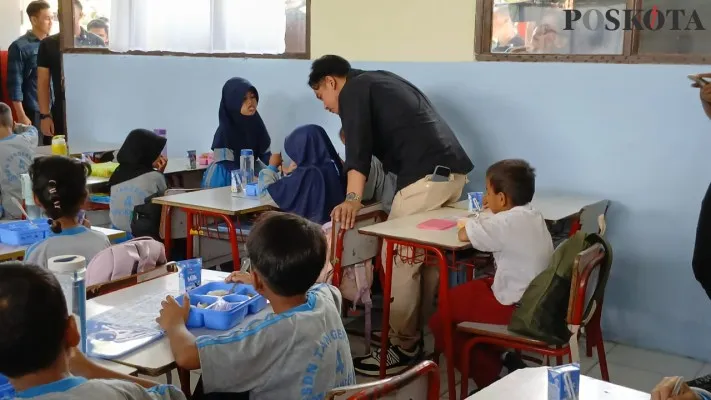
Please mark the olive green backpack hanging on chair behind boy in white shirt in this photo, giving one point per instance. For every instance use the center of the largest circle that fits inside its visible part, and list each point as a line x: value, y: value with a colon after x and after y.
x: 543, y: 308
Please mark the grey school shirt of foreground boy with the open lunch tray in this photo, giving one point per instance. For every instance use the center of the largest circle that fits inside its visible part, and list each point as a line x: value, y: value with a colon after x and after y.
x: 301, y: 353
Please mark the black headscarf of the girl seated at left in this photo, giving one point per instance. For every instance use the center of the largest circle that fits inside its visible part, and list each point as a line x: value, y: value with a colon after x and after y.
x: 137, y: 154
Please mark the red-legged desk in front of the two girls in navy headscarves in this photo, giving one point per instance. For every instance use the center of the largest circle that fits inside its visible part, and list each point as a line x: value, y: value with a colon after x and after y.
x: 216, y: 203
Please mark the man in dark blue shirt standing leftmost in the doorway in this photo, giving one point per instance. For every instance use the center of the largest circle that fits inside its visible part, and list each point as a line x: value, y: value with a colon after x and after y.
x: 22, y: 64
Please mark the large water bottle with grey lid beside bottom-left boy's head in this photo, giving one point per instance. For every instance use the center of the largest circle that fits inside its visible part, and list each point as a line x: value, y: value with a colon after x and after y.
x: 70, y: 271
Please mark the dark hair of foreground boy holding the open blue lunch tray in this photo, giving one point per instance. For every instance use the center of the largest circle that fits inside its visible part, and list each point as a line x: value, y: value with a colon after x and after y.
x: 288, y: 251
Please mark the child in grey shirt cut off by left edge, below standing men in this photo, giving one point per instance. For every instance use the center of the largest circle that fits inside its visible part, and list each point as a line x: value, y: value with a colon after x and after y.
x: 17, y: 150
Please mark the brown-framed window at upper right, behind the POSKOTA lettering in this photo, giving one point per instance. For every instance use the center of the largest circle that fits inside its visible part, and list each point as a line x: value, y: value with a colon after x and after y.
x: 594, y: 30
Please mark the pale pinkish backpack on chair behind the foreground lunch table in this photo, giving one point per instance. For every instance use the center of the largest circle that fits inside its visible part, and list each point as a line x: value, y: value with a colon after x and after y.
x: 125, y: 259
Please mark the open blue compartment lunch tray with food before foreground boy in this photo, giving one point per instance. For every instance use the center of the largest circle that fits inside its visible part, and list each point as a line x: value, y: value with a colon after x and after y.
x: 244, y: 300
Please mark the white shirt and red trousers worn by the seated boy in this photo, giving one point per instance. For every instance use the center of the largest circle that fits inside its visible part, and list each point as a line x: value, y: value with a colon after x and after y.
x: 522, y: 248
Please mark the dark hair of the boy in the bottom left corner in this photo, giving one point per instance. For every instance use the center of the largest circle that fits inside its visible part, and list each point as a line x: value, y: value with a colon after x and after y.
x: 33, y: 319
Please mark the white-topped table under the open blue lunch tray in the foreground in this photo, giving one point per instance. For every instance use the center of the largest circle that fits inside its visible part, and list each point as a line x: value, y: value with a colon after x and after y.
x: 156, y: 358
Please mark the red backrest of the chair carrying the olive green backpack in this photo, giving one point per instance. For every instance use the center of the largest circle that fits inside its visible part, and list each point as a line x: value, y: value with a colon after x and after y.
x: 587, y: 270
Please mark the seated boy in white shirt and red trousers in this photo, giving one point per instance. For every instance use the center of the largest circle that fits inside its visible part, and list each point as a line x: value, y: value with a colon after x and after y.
x: 522, y: 247
